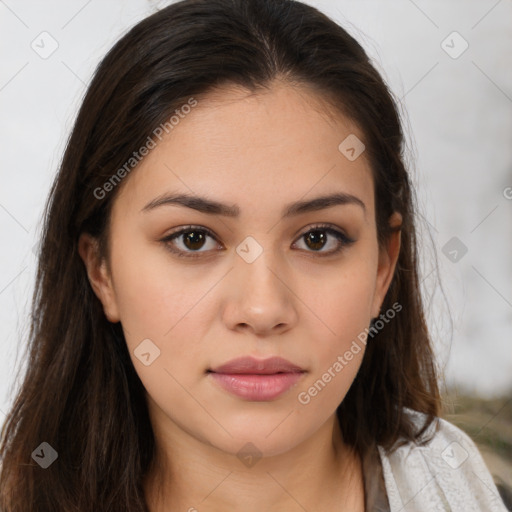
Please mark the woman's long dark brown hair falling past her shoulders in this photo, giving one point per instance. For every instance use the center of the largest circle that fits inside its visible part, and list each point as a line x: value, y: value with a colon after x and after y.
x: 80, y: 392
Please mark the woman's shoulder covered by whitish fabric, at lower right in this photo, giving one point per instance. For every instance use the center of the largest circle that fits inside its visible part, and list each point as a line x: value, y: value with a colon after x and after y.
x: 445, y: 473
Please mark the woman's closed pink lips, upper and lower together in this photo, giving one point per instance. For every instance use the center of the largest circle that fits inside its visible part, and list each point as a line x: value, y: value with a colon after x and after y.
x: 257, y: 379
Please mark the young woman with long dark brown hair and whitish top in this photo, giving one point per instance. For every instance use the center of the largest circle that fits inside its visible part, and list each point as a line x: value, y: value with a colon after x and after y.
x: 227, y: 312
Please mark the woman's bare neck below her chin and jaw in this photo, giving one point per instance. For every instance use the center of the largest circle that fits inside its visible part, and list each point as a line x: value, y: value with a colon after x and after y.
x: 321, y: 473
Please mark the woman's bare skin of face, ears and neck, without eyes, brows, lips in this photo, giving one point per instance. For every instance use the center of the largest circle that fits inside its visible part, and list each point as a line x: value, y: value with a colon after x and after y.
x: 260, y: 152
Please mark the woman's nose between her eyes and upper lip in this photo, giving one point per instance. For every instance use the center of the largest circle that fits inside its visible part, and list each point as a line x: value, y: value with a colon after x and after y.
x: 260, y: 297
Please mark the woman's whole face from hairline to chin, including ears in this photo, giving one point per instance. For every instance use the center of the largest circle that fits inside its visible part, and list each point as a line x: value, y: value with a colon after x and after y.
x: 269, y: 269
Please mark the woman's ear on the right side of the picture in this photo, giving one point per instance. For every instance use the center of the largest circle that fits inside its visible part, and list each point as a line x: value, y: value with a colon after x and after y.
x: 388, y: 256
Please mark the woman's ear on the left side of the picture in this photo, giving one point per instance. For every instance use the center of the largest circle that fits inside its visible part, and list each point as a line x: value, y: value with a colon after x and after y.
x: 99, y: 277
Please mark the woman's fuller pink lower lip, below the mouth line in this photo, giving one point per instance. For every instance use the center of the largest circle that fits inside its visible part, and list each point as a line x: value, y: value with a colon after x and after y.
x: 257, y: 387
